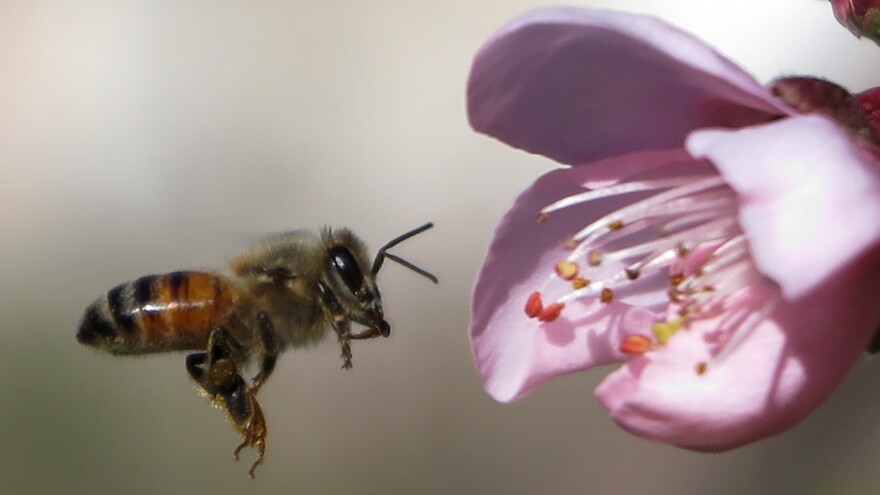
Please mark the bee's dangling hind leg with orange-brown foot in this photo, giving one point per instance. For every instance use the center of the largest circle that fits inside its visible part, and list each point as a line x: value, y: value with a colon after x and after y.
x: 216, y: 372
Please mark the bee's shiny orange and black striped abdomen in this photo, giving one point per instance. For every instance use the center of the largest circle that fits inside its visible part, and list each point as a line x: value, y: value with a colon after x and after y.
x: 173, y: 311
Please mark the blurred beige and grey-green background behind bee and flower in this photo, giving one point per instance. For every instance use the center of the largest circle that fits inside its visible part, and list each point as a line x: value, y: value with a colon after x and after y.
x: 141, y: 137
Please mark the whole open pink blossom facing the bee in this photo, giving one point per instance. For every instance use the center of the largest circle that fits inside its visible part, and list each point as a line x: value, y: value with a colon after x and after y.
x: 722, y: 245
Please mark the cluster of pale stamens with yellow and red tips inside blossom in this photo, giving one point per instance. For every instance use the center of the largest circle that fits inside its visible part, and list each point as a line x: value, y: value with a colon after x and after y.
x: 681, y: 239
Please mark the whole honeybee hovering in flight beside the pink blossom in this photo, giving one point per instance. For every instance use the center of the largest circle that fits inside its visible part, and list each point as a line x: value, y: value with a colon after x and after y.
x: 286, y: 292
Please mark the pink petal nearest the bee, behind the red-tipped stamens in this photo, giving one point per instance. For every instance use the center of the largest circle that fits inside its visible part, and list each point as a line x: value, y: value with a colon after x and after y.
x: 514, y: 353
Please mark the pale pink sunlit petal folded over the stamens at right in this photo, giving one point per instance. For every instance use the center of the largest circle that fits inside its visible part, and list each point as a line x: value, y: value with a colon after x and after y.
x: 810, y: 197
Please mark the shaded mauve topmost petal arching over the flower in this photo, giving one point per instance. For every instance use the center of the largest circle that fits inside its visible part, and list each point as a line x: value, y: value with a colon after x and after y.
x: 579, y: 85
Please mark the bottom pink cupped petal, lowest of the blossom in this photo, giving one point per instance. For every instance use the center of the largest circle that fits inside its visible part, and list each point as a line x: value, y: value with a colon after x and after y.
x: 785, y: 368
